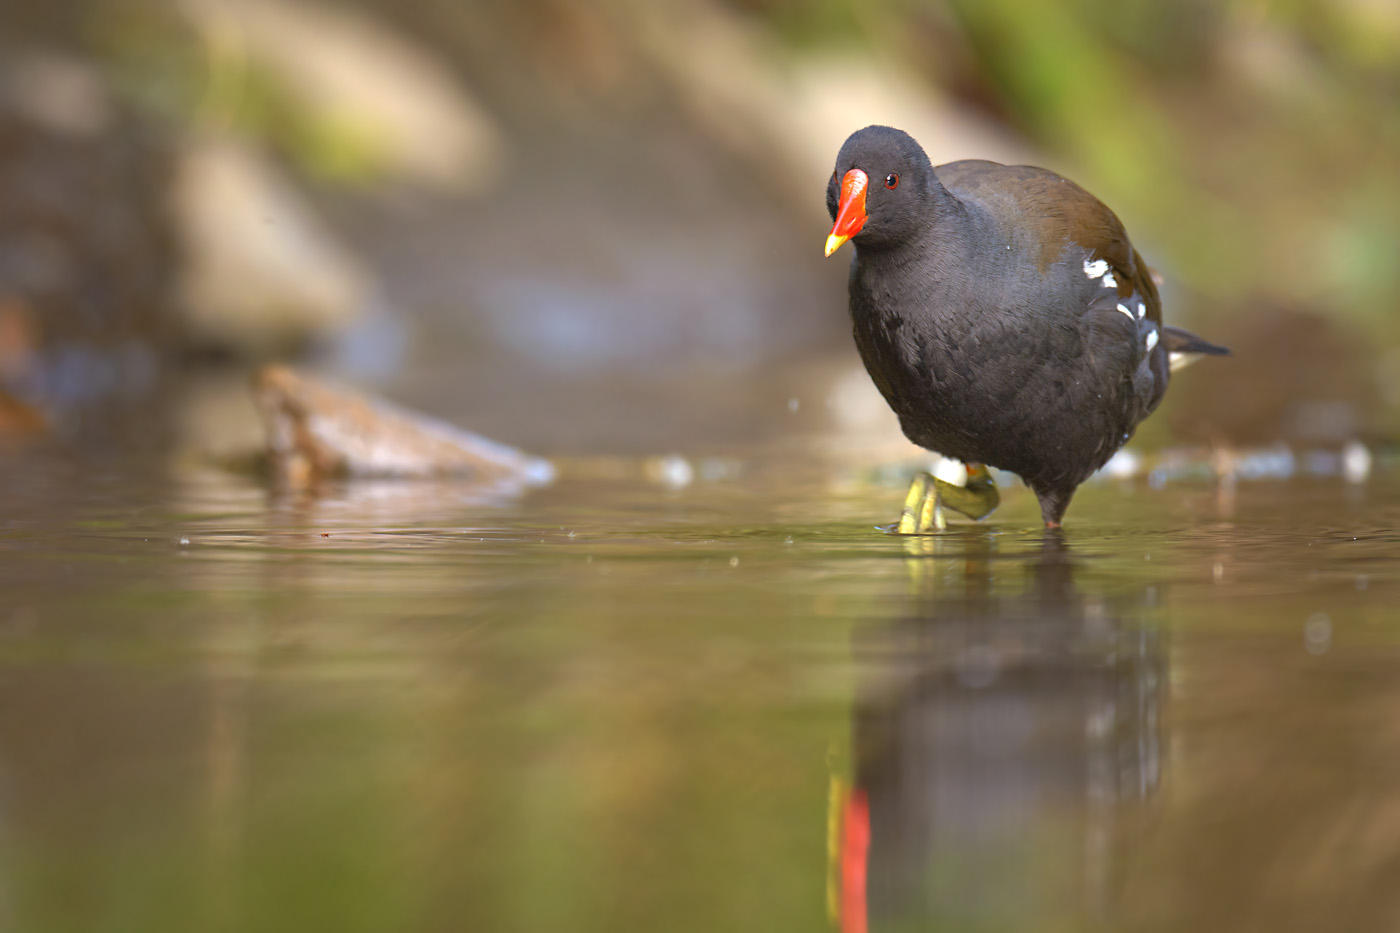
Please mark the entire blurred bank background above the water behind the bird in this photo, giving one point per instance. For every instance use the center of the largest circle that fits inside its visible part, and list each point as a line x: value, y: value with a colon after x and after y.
x: 596, y: 226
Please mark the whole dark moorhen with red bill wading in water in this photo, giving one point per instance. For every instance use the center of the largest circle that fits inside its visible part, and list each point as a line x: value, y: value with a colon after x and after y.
x: 1004, y: 316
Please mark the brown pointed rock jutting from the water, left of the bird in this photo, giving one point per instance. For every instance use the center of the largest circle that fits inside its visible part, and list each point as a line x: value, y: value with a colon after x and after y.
x: 320, y: 432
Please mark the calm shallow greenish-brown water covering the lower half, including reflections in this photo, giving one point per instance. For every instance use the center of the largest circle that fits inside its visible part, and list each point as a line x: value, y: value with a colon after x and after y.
x: 614, y: 707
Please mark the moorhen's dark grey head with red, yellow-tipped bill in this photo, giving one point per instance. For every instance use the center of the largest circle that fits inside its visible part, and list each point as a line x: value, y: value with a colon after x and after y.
x: 880, y: 191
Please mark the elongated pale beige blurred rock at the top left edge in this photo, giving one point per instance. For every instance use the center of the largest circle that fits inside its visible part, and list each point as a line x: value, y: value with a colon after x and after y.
x: 362, y: 85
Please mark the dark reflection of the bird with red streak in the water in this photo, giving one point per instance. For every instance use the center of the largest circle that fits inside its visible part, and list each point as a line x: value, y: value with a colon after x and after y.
x: 1002, y: 726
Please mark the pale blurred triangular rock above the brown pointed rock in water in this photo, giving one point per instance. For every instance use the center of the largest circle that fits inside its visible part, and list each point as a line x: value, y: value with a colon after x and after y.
x: 262, y: 272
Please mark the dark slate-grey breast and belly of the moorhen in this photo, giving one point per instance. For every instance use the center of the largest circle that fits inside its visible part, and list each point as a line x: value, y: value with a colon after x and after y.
x: 982, y: 365
